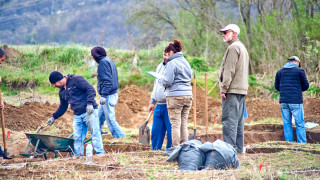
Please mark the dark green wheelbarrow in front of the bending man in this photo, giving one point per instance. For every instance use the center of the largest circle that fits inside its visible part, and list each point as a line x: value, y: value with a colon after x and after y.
x: 44, y: 144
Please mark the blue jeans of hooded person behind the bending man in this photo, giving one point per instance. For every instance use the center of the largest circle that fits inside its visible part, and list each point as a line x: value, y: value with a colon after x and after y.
x: 109, y: 107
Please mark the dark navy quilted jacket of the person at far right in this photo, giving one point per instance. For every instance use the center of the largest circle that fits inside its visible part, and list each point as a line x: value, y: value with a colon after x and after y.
x: 291, y: 81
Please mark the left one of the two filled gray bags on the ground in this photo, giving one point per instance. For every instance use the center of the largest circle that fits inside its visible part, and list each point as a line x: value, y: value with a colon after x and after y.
x: 188, y: 155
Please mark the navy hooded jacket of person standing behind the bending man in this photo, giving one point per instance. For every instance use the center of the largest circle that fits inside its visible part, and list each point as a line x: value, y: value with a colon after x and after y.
x: 107, y: 77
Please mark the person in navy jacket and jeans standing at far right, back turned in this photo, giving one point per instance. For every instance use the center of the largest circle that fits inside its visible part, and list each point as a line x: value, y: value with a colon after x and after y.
x: 291, y: 81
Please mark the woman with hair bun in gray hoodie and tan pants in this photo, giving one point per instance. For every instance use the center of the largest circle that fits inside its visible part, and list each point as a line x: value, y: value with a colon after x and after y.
x: 176, y: 80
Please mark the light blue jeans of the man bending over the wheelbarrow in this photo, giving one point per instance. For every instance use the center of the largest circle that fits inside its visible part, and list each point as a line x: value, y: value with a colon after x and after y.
x: 80, y: 128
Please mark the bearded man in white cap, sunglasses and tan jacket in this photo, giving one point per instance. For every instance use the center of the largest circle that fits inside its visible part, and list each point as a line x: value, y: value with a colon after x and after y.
x: 234, y: 84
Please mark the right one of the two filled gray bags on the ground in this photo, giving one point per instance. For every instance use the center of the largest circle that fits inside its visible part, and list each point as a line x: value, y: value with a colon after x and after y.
x: 220, y: 155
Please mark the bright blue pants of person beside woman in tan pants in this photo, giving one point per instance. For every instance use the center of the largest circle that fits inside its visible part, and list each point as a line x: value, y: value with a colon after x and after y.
x: 161, y: 125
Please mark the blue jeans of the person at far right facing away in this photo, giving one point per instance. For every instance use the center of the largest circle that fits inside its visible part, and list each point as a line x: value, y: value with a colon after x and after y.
x: 295, y: 110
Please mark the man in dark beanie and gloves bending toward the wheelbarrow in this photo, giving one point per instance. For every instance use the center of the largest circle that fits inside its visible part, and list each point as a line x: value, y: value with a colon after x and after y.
x: 80, y: 94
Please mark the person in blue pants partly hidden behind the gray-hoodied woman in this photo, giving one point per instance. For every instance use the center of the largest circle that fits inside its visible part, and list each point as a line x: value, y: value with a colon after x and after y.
x: 161, y: 123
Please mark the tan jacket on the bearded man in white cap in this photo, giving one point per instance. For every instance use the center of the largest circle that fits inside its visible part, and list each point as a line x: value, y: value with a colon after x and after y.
x: 234, y: 69
